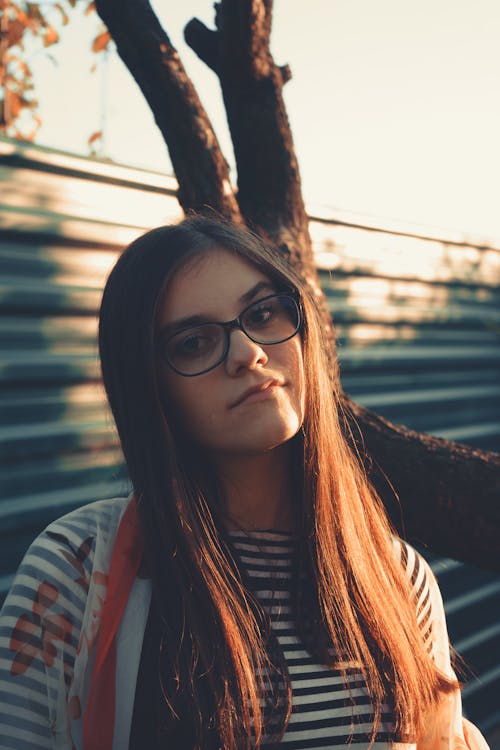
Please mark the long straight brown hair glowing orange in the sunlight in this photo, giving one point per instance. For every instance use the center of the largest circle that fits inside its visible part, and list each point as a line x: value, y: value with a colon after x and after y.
x: 352, y: 603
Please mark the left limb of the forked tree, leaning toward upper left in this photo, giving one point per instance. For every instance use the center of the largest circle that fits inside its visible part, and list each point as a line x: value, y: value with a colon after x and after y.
x: 146, y: 50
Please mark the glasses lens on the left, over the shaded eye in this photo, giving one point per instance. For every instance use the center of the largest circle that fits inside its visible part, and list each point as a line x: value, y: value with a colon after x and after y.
x: 195, y: 349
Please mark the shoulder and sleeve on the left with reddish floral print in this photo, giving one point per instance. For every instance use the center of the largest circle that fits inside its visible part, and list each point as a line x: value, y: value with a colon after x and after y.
x: 51, y: 606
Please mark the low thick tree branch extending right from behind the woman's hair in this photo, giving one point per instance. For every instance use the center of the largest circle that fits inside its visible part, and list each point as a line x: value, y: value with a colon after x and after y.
x: 449, y: 493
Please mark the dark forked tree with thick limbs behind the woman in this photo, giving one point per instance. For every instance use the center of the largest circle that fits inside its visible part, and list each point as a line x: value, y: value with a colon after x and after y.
x: 449, y: 493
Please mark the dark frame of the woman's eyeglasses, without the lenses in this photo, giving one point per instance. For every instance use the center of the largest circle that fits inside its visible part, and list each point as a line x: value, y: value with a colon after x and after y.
x: 228, y: 327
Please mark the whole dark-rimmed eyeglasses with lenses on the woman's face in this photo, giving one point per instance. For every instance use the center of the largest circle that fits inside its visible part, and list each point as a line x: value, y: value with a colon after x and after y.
x: 198, y: 349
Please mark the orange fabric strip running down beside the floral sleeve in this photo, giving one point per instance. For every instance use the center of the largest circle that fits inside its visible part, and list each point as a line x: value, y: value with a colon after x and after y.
x: 127, y: 555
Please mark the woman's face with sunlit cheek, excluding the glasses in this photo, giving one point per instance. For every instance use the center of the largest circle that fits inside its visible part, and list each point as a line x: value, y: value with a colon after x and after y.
x: 212, y: 408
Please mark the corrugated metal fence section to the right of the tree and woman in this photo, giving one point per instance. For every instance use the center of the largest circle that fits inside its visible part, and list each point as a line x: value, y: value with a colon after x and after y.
x: 418, y: 322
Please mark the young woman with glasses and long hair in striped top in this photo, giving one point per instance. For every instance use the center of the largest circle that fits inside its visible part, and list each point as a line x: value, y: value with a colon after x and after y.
x: 249, y: 593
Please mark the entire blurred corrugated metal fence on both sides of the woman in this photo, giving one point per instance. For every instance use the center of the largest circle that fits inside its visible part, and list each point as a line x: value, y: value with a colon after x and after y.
x: 418, y: 323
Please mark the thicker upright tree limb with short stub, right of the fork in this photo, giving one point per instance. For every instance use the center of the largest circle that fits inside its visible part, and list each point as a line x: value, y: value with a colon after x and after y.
x: 269, y: 191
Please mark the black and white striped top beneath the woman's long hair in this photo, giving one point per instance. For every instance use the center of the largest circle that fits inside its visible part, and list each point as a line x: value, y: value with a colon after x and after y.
x: 326, y: 713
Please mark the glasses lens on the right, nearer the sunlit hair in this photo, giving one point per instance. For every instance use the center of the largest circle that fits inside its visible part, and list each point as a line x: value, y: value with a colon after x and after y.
x: 272, y: 320
